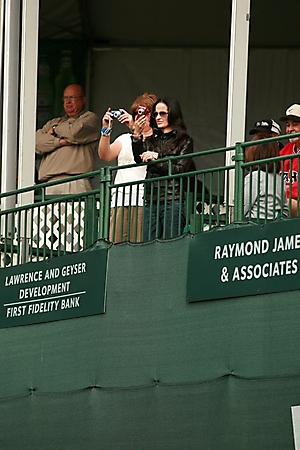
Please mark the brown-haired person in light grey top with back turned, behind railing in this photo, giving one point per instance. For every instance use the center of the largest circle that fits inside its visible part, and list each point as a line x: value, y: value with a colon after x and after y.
x: 264, y: 194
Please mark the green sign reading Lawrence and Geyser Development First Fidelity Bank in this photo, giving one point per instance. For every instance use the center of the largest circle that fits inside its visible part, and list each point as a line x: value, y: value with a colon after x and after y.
x: 61, y: 288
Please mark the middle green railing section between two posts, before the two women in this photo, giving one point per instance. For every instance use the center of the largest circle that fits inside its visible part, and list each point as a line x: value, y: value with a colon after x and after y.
x: 201, y: 199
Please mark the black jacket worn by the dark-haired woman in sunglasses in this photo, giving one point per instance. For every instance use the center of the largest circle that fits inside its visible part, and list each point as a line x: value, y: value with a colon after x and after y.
x: 165, y: 144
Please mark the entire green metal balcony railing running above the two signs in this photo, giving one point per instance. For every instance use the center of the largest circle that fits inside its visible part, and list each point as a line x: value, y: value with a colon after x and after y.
x: 48, y: 226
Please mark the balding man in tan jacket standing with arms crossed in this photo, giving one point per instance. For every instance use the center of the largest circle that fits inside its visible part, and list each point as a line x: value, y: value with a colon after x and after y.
x: 67, y: 144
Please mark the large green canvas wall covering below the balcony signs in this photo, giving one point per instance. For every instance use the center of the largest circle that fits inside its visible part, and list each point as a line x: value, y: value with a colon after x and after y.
x: 154, y: 372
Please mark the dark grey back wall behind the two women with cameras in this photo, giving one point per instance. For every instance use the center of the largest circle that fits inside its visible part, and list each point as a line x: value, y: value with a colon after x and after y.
x: 198, y: 79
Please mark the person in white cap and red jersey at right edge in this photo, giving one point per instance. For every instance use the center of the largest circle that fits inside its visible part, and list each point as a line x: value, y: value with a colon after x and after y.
x: 290, y: 167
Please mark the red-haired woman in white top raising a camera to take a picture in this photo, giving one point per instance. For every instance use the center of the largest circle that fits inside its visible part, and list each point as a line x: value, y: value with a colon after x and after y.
x: 127, y: 204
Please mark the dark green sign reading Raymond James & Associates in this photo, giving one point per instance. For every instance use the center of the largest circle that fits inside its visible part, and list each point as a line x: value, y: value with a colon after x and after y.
x: 249, y: 260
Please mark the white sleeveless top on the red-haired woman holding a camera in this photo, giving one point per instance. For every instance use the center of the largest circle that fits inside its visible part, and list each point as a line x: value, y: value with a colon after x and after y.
x: 126, y: 175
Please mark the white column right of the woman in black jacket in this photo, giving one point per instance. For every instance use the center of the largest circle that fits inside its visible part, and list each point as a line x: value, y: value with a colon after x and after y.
x: 237, y: 84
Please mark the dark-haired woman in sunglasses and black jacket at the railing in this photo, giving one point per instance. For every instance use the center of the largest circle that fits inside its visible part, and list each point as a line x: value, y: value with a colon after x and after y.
x: 164, y: 206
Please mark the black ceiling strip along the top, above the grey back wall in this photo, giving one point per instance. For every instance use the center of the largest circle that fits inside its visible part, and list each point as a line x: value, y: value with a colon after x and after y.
x: 179, y: 24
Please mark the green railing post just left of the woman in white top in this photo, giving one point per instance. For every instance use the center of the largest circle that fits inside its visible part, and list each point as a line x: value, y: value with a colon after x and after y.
x: 105, y: 181
